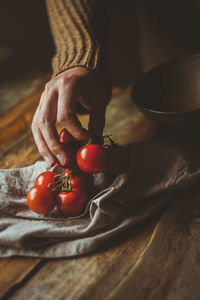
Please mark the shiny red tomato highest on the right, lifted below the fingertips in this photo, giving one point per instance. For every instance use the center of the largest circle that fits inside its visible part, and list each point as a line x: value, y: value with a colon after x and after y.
x: 92, y: 158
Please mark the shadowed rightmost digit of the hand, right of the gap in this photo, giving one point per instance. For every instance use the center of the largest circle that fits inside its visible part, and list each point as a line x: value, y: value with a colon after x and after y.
x: 97, y: 120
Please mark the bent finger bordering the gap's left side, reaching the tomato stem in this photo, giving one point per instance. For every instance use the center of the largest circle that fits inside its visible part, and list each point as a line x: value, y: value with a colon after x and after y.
x: 67, y: 116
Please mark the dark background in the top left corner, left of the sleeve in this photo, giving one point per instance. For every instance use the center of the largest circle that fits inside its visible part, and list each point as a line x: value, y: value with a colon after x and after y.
x: 24, y: 30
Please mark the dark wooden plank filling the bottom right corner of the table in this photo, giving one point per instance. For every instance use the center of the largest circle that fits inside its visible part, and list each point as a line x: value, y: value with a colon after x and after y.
x: 170, y: 260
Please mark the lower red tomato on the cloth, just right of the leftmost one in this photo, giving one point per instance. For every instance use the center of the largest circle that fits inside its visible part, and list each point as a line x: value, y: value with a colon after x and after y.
x: 71, y: 203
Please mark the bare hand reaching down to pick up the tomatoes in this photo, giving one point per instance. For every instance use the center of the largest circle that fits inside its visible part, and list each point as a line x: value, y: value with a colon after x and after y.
x: 57, y: 103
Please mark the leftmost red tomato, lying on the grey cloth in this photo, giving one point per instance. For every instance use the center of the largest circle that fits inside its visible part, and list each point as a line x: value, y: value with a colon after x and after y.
x: 40, y: 199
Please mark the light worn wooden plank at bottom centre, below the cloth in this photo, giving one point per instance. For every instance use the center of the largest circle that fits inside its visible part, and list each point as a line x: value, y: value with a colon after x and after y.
x: 90, y: 277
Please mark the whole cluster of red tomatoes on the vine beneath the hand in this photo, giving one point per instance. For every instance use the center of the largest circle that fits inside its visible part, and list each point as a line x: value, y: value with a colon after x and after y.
x: 69, y: 190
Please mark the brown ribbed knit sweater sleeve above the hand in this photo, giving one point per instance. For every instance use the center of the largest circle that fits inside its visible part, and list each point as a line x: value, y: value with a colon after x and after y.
x: 73, y: 27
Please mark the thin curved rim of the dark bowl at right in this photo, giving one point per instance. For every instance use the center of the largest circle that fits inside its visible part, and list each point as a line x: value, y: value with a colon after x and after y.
x: 171, y: 62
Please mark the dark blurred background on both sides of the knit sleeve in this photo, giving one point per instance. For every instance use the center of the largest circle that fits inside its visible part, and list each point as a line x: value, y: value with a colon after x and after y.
x: 141, y: 35
